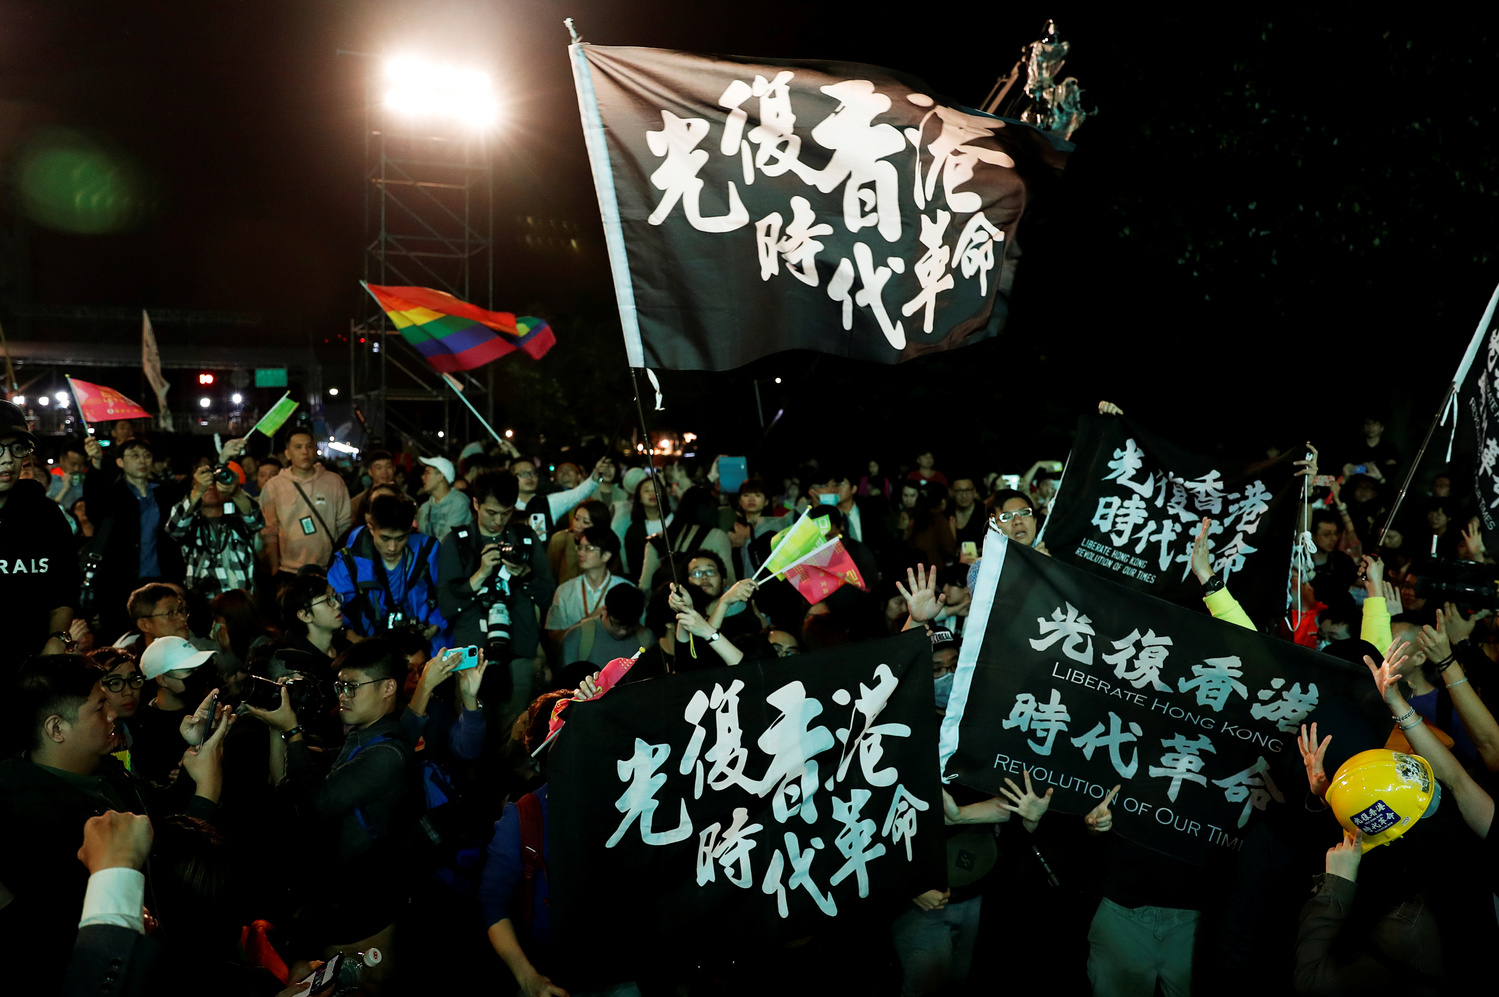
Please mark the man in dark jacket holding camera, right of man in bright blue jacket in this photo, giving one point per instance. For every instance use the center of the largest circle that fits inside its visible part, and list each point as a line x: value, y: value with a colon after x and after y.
x: 494, y: 581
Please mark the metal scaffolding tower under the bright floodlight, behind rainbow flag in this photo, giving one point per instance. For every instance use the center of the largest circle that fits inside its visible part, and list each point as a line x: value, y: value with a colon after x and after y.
x: 429, y: 197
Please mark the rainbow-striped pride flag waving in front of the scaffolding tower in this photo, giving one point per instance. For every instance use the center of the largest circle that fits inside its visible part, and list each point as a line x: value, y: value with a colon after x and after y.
x: 453, y: 335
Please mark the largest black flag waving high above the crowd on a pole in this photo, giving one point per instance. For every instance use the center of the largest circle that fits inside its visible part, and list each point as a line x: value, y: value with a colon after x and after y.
x: 753, y: 208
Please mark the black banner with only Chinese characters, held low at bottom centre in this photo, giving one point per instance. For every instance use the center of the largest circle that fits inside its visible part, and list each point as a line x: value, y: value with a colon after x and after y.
x: 750, y: 804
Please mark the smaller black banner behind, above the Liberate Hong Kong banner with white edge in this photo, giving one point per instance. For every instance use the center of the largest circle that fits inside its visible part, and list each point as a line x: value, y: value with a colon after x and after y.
x: 1131, y: 506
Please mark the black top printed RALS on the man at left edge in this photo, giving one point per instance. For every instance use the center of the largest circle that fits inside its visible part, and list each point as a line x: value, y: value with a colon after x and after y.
x: 38, y: 564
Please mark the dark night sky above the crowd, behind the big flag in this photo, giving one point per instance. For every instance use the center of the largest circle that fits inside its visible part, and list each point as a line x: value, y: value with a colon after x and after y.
x: 1272, y: 224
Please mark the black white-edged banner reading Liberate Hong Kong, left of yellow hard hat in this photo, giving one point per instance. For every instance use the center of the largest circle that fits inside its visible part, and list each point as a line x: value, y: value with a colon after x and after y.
x: 1089, y: 686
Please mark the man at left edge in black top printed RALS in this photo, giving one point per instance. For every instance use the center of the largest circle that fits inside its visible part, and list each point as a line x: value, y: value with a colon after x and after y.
x: 38, y: 566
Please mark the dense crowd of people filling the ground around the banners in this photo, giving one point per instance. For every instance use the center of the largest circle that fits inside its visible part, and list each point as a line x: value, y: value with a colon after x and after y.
x: 272, y: 713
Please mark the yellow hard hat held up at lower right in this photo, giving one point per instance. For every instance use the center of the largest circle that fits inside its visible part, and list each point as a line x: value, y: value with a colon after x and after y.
x: 1381, y: 794
